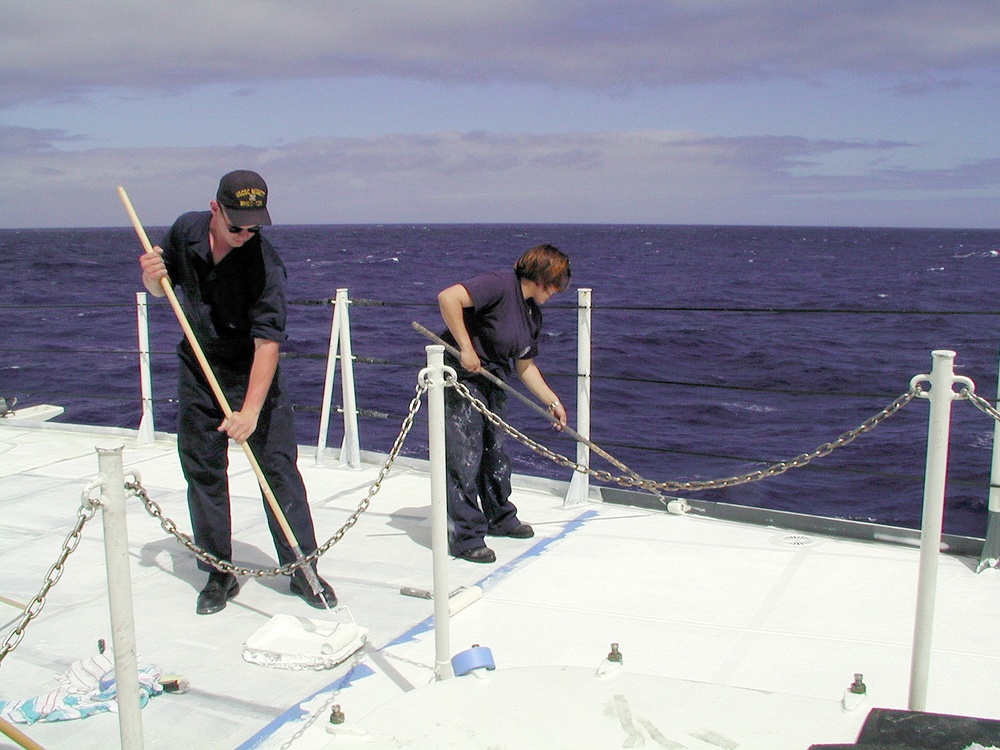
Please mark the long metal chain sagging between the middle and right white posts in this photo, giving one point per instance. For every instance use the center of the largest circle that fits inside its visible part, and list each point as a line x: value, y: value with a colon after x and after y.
x: 638, y: 482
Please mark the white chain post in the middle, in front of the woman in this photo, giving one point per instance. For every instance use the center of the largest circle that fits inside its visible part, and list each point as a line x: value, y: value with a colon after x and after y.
x: 439, y: 509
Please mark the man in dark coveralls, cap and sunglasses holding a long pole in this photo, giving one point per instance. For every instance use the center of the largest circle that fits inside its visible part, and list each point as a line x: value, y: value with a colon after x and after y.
x: 233, y: 289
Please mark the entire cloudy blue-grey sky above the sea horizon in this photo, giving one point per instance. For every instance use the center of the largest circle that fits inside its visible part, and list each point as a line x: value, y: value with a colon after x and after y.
x: 787, y: 112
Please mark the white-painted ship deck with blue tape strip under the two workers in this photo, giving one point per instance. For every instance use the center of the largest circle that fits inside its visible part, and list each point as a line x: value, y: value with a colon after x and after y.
x: 733, y: 636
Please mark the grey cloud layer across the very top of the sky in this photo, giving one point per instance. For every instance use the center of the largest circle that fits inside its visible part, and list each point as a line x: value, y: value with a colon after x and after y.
x: 50, y: 49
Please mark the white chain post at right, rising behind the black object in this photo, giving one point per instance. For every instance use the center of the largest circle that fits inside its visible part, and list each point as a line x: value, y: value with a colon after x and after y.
x: 940, y: 395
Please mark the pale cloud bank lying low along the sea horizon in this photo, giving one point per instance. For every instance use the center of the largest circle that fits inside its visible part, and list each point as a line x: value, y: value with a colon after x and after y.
x: 640, y: 176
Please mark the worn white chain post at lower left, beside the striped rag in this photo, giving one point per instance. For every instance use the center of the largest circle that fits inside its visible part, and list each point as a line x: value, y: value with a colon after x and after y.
x: 120, y: 597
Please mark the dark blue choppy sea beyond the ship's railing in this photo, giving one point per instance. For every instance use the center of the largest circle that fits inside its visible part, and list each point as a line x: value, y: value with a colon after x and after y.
x: 717, y: 349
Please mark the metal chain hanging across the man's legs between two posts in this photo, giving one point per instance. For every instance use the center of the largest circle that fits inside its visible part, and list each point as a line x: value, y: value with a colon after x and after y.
x: 170, y: 526
